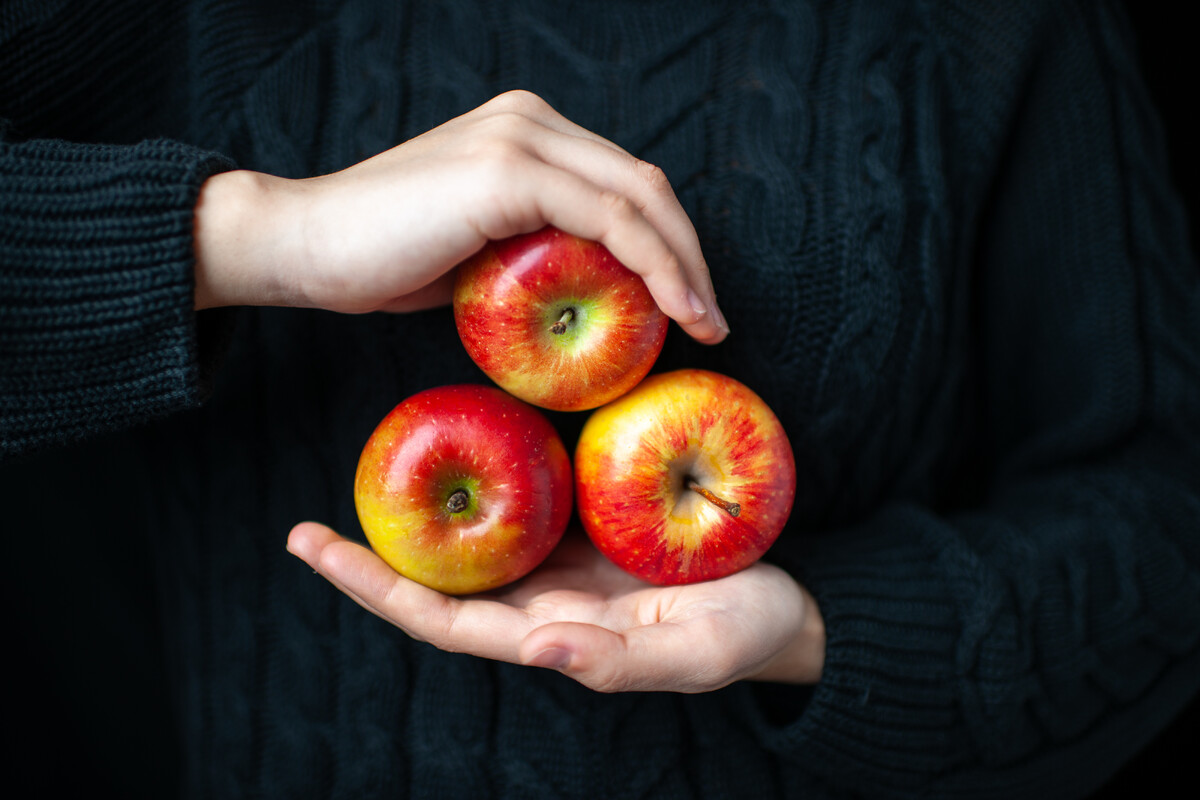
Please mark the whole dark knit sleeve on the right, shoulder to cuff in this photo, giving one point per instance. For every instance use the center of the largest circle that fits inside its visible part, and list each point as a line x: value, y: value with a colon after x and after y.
x: 1030, y: 645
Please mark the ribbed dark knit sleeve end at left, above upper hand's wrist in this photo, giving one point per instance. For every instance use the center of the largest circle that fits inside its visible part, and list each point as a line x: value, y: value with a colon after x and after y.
x: 98, y: 329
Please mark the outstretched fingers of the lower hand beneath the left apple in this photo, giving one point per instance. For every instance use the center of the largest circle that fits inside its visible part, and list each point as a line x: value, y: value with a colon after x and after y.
x: 479, y: 627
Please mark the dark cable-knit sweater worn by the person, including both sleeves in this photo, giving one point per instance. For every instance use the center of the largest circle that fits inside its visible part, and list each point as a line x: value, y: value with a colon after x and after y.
x: 945, y: 242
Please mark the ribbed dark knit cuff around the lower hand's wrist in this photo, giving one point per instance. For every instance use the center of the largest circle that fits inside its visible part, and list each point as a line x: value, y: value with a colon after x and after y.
x: 886, y: 712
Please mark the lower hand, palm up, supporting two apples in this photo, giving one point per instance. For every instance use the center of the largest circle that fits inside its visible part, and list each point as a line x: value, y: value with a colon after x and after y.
x: 580, y: 615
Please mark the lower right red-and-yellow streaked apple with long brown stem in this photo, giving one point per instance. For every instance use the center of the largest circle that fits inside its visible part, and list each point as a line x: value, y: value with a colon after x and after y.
x: 635, y: 453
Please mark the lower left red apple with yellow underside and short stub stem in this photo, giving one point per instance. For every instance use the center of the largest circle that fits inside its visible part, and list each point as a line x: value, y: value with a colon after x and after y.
x: 502, y: 453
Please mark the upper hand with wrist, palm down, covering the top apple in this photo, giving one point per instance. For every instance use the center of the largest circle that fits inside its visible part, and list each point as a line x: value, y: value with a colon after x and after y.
x: 387, y: 233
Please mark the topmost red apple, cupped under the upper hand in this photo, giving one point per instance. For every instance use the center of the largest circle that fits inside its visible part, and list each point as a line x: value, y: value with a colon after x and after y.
x: 509, y: 297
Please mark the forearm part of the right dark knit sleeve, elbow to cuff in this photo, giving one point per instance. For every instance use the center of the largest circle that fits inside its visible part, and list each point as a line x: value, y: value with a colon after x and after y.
x: 998, y: 655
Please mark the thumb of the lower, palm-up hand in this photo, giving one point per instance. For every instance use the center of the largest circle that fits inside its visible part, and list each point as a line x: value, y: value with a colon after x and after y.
x: 664, y: 657
